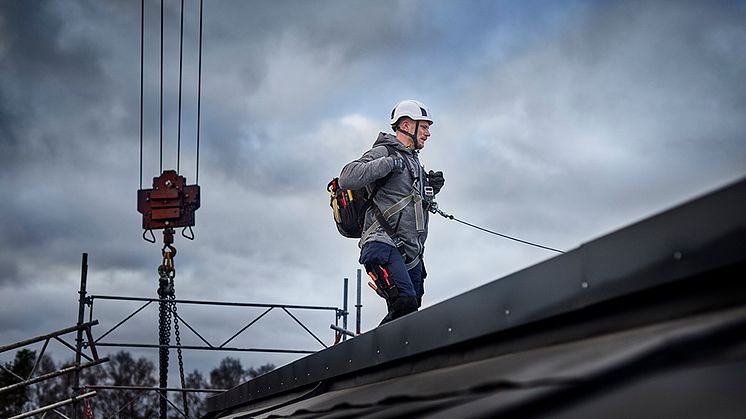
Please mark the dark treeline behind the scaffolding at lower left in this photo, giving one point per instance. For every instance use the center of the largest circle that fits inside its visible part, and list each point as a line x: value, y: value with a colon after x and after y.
x: 121, y: 370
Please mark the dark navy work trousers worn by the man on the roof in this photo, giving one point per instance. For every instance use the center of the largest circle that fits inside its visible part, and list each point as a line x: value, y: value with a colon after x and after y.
x: 409, y: 284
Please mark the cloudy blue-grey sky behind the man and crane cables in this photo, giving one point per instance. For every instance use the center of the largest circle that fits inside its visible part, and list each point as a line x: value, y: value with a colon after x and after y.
x: 555, y: 121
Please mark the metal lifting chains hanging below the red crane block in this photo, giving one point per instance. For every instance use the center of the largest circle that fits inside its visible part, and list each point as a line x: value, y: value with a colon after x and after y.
x: 167, y: 310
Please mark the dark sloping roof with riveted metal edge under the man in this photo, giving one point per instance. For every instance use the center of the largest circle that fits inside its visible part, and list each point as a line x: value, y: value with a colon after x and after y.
x: 651, y: 309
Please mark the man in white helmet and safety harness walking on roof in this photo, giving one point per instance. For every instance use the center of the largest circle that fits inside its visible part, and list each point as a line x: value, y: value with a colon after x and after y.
x: 395, y: 229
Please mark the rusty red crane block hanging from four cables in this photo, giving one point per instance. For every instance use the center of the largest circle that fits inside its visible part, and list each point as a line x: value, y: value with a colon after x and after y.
x: 170, y: 204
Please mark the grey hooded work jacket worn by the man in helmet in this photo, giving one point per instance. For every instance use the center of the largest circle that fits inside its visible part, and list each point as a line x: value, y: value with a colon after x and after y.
x: 399, y: 199
